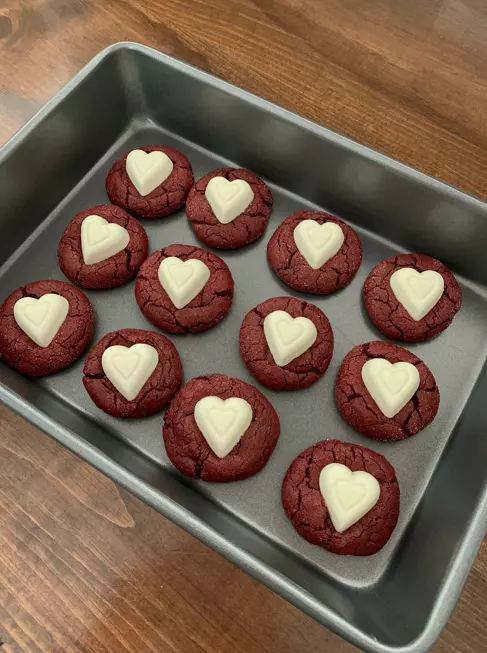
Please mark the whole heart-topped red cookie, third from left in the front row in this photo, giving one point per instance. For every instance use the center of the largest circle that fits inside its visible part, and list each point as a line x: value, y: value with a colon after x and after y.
x: 238, y: 421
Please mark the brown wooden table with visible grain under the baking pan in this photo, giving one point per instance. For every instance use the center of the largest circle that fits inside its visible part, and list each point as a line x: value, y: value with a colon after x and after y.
x: 84, y: 566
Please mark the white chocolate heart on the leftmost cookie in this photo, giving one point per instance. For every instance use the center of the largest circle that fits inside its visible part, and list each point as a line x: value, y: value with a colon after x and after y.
x: 41, y: 318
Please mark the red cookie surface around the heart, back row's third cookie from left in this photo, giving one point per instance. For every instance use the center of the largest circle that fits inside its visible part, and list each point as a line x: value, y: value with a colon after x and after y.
x: 292, y: 268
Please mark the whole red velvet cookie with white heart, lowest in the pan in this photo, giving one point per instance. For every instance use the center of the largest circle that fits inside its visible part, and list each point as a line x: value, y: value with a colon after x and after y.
x: 306, y: 484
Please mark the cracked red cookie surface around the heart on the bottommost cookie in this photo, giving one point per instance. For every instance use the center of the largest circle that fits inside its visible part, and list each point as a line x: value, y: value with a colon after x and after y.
x: 306, y: 508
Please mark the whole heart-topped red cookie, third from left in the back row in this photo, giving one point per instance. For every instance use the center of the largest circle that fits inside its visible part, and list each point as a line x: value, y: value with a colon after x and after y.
x: 312, y: 258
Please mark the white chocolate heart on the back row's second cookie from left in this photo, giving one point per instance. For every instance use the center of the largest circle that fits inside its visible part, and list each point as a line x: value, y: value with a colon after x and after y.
x: 228, y: 199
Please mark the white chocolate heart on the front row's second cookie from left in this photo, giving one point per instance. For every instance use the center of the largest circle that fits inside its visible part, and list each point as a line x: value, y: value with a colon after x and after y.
x: 129, y: 368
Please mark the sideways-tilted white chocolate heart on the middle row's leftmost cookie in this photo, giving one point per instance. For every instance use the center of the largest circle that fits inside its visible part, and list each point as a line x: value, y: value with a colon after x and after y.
x: 101, y: 239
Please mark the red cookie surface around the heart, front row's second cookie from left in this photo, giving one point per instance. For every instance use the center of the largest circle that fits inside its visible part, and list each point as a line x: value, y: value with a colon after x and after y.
x: 158, y: 389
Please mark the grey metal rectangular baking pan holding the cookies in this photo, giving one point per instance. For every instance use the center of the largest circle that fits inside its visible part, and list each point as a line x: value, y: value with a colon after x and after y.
x: 398, y: 600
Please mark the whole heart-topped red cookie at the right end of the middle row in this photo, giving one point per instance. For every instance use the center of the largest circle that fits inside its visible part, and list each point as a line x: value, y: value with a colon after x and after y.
x: 412, y: 395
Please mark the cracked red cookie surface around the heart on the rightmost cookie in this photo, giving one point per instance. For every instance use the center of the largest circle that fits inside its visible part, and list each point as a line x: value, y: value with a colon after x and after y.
x: 391, y: 318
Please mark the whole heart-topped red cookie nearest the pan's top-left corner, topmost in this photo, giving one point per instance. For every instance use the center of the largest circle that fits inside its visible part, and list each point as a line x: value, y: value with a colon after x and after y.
x: 151, y: 181
